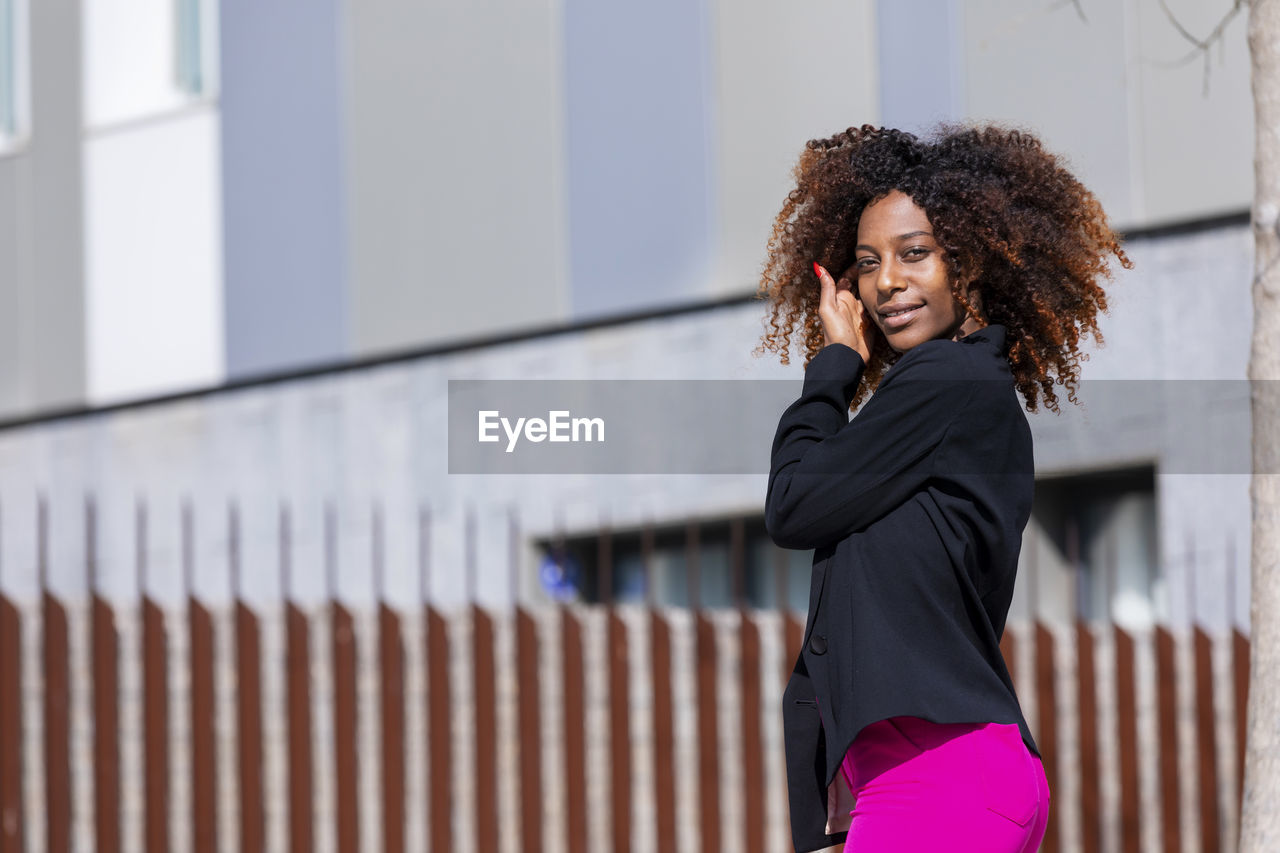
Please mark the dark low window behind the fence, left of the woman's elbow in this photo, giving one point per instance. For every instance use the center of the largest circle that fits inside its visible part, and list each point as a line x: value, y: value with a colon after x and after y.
x: 717, y: 563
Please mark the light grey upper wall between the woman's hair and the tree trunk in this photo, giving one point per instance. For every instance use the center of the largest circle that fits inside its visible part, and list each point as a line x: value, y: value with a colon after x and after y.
x: 1141, y: 131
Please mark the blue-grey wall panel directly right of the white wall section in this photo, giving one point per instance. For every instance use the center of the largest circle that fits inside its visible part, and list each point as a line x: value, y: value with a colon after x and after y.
x: 282, y: 181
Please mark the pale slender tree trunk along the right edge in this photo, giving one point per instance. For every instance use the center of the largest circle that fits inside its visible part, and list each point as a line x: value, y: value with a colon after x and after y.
x: 1260, y: 829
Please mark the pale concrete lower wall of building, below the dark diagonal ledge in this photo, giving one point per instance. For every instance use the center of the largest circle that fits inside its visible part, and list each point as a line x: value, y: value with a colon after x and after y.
x: 381, y: 435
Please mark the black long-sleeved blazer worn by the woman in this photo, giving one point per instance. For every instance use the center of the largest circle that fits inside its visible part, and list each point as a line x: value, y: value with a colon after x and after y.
x: 916, y: 512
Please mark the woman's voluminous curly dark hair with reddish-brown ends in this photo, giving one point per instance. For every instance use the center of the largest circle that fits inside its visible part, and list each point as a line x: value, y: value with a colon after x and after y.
x: 1014, y: 223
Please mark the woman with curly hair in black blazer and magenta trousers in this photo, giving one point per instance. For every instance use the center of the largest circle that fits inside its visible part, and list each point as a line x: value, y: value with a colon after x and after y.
x: 968, y: 270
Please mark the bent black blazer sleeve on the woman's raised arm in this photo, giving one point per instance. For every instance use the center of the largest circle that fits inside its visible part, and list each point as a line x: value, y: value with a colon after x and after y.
x: 831, y: 476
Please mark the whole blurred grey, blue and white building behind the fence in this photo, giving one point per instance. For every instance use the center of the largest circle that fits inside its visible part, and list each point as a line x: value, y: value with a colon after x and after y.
x: 203, y: 197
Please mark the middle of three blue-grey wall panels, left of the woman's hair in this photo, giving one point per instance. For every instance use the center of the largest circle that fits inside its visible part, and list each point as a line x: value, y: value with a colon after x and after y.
x: 642, y: 202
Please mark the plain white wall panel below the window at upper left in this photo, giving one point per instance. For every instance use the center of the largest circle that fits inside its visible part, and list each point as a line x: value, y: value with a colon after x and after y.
x: 153, y: 252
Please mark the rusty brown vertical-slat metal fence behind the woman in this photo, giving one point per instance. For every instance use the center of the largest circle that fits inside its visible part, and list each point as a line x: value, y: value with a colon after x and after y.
x: 561, y: 728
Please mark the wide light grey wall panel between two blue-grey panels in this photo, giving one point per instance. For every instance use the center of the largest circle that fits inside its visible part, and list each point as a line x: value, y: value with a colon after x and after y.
x: 456, y: 170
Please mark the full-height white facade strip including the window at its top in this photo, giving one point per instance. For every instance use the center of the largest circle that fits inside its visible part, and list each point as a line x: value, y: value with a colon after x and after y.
x: 152, y: 200
